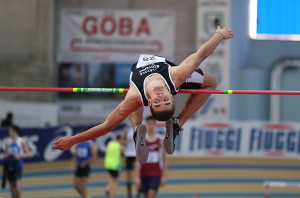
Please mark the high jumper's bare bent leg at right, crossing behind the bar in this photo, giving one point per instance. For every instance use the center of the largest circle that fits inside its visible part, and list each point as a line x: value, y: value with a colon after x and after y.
x: 195, y: 101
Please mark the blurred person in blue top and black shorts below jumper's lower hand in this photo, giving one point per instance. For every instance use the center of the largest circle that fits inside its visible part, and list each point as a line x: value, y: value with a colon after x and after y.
x: 85, y: 153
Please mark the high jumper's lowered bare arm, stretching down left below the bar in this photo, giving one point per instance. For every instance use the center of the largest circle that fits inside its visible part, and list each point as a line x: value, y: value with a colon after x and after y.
x: 130, y: 104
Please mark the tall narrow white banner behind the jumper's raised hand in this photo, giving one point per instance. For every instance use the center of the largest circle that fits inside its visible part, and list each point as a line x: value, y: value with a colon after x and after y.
x: 211, y: 14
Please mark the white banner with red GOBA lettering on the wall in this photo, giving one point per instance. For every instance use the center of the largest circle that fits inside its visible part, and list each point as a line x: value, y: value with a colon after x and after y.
x: 115, y: 35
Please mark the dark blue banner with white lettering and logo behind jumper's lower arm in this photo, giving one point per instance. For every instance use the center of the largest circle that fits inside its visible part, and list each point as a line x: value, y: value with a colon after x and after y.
x: 40, y: 141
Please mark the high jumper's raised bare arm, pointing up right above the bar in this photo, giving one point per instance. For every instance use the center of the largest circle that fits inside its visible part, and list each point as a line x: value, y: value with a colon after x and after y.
x: 190, y: 64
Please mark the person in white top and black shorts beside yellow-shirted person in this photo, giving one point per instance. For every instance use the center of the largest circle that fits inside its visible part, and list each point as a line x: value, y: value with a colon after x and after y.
x: 129, y: 157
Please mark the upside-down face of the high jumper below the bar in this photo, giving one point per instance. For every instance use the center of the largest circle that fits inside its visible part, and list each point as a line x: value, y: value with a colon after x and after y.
x: 160, y: 100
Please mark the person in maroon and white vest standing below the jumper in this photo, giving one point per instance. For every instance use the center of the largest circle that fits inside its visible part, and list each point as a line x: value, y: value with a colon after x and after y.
x: 152, y: 174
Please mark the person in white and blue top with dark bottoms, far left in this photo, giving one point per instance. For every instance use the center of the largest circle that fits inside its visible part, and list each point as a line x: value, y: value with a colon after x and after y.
x: 15, y: 150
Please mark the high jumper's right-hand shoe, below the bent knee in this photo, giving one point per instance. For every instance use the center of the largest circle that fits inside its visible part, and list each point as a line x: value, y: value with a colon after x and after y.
x: 173, y: 130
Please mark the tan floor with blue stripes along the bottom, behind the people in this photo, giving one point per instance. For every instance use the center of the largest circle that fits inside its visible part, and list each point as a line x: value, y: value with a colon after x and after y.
x: 187, y: 178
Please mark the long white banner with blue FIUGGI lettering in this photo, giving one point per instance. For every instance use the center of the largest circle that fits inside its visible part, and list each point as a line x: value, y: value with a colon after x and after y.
x: 238, y: 139
